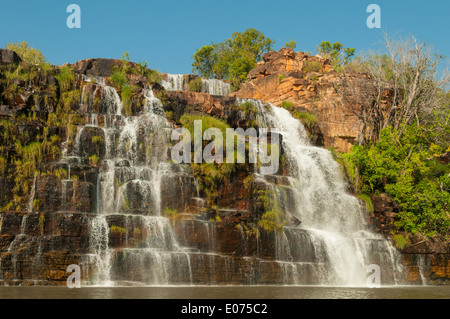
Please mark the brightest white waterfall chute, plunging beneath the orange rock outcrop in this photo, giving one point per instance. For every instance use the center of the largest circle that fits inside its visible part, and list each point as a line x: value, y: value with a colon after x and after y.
x: 326, y: 210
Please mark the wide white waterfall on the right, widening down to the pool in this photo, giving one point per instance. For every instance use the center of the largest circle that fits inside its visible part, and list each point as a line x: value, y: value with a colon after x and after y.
x: 333, y: 225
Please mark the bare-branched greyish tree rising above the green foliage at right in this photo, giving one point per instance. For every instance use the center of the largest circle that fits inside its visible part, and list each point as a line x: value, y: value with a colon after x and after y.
x: 403, y: 86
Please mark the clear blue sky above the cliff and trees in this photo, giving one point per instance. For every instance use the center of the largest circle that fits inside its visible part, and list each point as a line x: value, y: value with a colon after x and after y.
x: 167, y: 33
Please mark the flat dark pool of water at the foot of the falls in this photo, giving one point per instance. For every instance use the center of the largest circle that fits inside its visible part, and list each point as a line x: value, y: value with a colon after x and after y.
x: 226, y: 292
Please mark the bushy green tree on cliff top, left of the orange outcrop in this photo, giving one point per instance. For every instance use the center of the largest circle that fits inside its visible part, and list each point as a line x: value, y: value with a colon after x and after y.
x: 233, y: 58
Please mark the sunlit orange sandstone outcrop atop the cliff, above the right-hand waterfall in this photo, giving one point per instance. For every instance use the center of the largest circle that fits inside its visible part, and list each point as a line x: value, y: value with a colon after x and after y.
x: 309, y: 82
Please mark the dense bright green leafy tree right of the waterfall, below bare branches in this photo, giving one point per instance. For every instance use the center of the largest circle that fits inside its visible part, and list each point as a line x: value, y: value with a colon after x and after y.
x: 406, y: 167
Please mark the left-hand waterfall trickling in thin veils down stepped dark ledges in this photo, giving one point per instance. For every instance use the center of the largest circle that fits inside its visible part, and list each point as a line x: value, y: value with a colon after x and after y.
x: 129, y: 190
